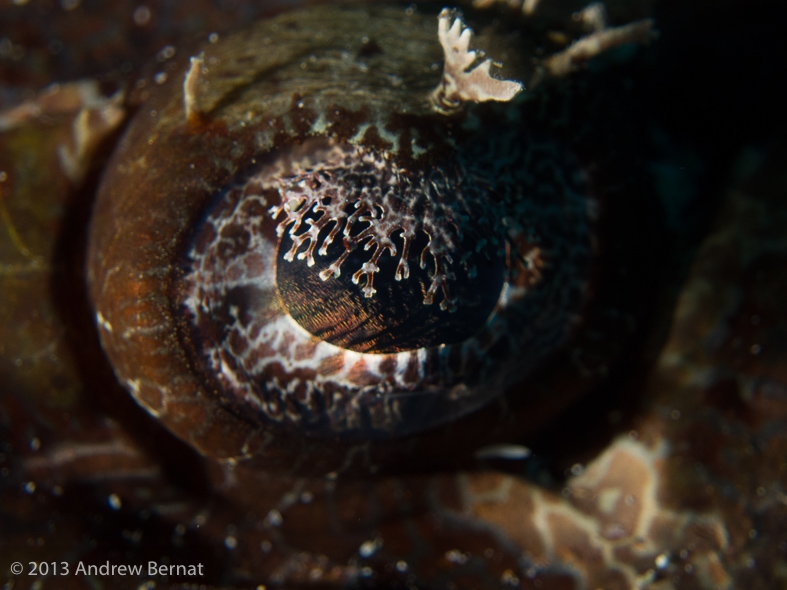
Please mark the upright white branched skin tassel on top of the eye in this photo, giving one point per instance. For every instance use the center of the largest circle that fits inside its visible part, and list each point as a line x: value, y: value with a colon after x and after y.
x: 461, y: 84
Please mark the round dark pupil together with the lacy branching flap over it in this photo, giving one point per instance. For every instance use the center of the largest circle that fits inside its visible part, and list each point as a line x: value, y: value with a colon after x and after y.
x: 375, y: 259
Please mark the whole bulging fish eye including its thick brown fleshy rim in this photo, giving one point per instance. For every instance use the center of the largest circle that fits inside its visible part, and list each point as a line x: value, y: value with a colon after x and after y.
x: 321, y: 243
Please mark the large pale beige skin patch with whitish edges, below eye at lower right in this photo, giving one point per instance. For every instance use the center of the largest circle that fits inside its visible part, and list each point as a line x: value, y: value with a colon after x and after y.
x: 611, y: 509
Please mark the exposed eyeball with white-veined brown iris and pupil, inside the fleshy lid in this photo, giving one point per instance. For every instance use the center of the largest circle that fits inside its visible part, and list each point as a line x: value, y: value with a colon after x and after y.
x: 284, y: 318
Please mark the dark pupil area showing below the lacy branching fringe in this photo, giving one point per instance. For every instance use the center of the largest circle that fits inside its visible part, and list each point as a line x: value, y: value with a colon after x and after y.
x: 395, y: 318
